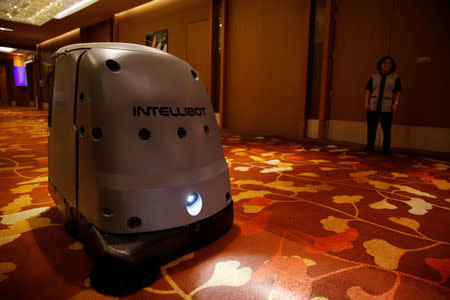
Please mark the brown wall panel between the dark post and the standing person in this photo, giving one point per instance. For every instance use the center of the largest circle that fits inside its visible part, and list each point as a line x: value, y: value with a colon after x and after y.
x: 362, y: 38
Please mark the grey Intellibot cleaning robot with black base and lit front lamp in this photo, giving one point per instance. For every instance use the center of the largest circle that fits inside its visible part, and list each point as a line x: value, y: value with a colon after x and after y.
x: 135, y: 162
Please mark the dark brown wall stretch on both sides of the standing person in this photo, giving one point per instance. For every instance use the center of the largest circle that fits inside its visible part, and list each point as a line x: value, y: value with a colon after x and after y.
x: 415, y: 34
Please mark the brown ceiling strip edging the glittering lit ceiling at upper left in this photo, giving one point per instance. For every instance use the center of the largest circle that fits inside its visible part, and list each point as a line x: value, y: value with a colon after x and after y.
x: 26, y: 36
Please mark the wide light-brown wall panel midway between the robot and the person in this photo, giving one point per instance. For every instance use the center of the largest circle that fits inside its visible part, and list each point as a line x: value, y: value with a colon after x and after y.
x: 265, y: 67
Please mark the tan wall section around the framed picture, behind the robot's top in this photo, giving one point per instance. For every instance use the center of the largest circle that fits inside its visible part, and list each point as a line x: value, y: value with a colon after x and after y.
x: 189, y: 30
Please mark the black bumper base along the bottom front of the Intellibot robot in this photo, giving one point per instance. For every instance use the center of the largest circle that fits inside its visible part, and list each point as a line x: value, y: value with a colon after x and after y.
x: 159, y: 246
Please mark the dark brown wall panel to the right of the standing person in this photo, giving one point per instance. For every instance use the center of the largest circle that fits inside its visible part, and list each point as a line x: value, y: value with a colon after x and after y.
x: 421, y: 46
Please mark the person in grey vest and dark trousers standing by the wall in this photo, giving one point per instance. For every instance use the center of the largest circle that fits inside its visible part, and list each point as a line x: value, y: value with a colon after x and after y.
x: 381, y: 100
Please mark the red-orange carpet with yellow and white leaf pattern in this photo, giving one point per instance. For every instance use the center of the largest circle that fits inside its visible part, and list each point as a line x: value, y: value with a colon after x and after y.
x: 312, y: 221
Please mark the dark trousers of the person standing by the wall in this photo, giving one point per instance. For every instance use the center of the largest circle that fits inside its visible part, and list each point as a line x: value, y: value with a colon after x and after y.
x: 372, y: 124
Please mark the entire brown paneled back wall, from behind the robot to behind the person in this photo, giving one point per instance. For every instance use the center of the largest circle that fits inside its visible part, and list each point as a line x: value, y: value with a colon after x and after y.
x: 265, y: 58
